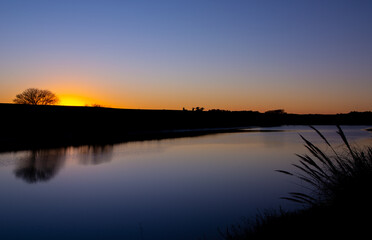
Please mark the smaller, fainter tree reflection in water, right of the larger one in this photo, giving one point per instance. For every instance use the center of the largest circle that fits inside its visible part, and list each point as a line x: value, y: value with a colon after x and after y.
x: 95, y: 154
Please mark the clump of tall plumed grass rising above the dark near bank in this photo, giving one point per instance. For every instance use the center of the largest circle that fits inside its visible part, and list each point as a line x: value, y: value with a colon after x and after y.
x: 338, y: 179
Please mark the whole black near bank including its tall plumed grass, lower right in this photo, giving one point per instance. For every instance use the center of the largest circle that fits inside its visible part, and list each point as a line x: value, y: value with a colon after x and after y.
x: 339, y: 205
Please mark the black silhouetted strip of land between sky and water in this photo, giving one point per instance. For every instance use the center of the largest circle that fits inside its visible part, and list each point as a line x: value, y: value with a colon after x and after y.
x: 29, y: 127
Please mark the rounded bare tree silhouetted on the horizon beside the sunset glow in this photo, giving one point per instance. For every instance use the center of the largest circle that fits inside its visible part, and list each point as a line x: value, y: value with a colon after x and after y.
x: 34, y: 96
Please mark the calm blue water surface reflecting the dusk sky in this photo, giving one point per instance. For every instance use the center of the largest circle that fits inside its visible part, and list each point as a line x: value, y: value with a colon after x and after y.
x: 169, y: 189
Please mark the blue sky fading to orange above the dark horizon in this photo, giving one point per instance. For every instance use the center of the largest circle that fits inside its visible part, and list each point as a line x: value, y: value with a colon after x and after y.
x: 297, y: 55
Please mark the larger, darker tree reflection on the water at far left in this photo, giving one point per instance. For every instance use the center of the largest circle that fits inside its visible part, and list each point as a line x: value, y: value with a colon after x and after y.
x: 40, y: 165
